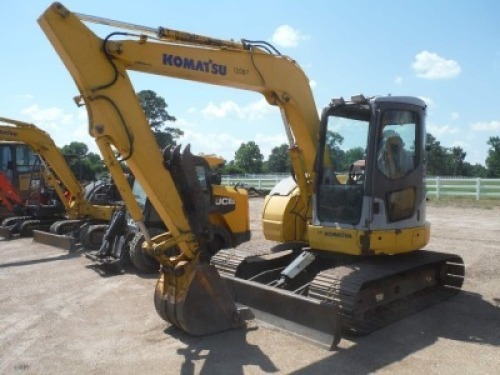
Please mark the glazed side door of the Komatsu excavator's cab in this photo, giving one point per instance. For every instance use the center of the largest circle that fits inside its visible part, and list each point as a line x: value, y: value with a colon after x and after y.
x: 398, y: 165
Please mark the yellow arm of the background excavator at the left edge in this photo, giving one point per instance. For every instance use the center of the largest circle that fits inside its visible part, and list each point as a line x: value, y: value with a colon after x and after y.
x: 57, y: 169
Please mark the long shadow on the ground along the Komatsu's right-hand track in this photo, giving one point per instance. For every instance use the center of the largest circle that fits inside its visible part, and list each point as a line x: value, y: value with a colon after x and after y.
x: 467, y: 317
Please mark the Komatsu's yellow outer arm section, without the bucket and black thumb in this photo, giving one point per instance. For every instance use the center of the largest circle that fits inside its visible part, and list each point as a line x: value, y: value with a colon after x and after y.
x: 117, y: 123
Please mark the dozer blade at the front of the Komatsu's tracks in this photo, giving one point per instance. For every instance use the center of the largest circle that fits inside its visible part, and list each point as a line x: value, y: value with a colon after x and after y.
x: 309, y: 319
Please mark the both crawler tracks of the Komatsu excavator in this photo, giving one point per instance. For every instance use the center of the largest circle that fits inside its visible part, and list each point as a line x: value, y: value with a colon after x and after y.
x: 369, y: 293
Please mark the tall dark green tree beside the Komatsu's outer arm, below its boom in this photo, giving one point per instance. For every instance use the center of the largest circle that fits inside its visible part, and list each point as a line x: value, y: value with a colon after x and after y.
x: 155, y: 109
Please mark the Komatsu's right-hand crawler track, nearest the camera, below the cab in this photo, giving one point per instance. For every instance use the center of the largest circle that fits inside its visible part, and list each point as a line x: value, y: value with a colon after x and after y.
x: 374, y: 293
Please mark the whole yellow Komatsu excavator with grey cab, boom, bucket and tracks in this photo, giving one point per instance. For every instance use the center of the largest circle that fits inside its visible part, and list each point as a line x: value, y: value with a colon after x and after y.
x: 350, y: 256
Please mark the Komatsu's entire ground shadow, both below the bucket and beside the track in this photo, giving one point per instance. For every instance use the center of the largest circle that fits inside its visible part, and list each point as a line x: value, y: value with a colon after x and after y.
x: 465, y: 317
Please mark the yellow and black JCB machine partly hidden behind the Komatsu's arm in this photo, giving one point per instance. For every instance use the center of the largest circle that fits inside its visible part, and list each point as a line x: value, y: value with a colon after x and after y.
x: 229, y: 220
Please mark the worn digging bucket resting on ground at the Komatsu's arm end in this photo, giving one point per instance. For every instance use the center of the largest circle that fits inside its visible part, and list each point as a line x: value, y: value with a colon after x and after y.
x: 203, y: 306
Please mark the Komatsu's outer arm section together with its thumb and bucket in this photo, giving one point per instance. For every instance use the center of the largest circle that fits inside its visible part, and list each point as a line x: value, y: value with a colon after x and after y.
x: 191, y: 294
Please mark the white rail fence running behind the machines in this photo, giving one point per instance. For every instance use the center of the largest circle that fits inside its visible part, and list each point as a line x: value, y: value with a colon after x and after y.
x: 479, y: 188
